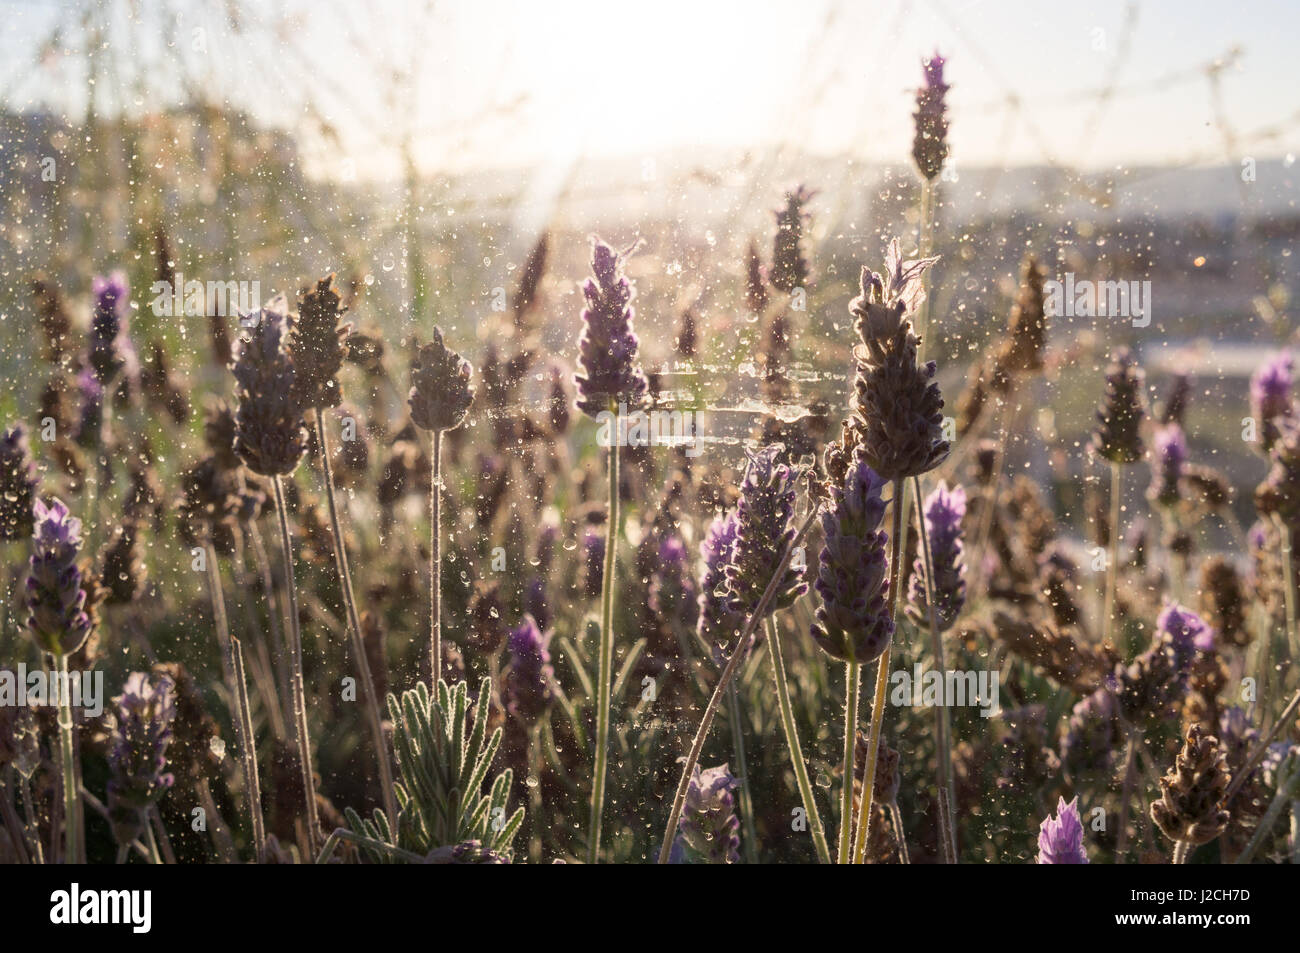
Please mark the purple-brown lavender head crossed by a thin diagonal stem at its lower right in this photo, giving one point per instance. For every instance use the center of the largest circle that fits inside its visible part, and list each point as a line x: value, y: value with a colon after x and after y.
x: 764, y: 532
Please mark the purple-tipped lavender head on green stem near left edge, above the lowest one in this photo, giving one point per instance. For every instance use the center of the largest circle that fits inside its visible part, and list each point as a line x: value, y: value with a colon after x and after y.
x: 55, y: 596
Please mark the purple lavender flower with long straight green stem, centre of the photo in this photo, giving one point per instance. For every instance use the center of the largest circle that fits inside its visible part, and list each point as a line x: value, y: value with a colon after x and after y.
x: 610, y: 380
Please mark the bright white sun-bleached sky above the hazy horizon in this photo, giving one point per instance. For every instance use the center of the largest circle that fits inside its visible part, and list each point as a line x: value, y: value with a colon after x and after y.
x: 499, y: 83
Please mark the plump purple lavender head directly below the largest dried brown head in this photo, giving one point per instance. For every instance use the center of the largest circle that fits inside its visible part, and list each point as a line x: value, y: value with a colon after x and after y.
x: 853, y: 623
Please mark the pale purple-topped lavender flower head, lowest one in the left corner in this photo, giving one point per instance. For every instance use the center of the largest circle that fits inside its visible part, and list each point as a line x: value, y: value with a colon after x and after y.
x: 141, y: 730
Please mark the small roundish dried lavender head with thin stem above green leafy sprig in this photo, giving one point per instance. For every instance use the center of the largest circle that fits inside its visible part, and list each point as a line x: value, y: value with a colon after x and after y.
x: 440, y: 400
